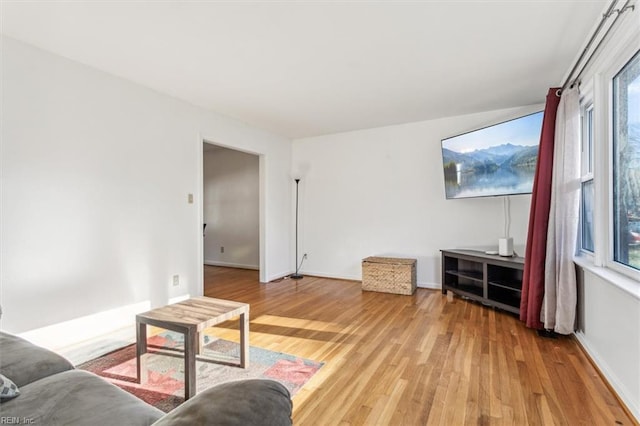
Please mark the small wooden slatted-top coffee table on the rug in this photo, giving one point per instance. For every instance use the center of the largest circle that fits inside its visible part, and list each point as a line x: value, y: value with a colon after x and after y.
x: 190, y: 318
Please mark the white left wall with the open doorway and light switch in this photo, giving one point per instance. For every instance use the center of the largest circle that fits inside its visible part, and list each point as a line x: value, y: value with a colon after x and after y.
x: 95, y: 177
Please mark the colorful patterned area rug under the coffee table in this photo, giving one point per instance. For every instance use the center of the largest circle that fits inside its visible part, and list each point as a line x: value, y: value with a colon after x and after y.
x: 164, y: 388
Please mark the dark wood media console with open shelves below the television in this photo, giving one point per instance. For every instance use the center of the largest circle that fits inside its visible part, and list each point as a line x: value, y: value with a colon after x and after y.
x: 492, y: 280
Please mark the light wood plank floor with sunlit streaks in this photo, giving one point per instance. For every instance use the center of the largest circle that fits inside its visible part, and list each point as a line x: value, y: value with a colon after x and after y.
x: 415, y: 360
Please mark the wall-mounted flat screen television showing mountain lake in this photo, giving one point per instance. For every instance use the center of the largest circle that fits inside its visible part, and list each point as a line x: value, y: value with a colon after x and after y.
x: 496, y: 160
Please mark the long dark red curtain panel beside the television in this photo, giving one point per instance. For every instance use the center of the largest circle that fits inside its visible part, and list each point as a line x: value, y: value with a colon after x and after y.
x: 535, y: 254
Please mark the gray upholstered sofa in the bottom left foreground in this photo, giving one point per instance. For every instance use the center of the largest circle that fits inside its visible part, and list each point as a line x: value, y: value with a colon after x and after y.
x: 53, y: 392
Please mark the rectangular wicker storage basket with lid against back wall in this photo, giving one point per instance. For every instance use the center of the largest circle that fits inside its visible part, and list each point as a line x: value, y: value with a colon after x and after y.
x: 389, y: 275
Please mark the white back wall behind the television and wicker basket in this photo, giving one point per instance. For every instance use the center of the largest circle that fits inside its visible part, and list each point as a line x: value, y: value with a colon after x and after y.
x: 381, y: 192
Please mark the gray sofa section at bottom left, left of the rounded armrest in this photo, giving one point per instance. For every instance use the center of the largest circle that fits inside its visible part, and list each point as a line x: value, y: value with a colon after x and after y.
x: 78, y: 397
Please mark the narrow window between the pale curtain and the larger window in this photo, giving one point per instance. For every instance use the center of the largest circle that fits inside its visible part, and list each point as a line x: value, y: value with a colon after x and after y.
x: 586, y: 205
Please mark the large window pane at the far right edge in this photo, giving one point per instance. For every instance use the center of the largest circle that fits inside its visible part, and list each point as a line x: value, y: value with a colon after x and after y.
x: 626, y: 164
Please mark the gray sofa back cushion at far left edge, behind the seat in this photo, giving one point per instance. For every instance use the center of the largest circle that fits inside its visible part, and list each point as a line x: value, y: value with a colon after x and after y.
x: 25, y: 362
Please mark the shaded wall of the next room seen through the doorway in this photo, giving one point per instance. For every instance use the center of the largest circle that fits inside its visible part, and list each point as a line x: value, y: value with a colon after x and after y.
x: 231, y: 209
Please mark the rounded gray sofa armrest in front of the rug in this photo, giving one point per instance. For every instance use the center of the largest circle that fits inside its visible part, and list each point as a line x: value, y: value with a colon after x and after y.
x: 246, y: 403
